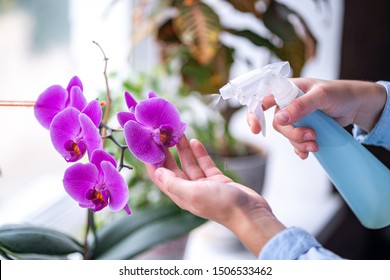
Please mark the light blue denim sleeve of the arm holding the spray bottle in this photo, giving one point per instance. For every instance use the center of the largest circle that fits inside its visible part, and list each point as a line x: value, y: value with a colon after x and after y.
x: 380, y: 135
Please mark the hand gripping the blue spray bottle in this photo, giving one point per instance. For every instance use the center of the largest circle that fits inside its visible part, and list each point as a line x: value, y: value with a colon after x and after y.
x: 348, y: 102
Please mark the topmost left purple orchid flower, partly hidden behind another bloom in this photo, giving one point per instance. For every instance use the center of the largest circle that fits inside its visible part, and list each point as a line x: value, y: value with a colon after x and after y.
x: 56, y: 98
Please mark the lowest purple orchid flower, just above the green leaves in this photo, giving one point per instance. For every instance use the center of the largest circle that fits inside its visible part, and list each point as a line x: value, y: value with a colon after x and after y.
x: 97, y: 184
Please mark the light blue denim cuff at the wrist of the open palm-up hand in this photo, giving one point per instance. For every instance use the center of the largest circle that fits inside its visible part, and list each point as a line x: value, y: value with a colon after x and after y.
x: 295, y: 244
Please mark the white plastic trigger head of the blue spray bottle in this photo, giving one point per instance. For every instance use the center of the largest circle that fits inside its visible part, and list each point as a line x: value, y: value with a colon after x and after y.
x: 250, y: 88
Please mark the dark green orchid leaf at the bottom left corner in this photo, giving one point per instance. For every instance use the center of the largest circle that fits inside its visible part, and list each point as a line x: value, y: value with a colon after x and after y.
x: 25, y: 239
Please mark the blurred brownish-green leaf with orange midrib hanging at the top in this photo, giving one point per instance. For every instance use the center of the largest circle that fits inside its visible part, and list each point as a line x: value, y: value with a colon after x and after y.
x: 198, y: 27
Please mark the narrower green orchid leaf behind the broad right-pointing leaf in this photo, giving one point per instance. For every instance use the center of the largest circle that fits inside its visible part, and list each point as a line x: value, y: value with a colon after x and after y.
x: 114, y: 232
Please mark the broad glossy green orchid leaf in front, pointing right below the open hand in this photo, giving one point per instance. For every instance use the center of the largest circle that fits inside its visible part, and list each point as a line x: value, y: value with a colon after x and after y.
x: 155, y: 233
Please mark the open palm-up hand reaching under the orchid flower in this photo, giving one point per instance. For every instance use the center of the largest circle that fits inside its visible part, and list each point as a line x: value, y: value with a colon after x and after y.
x: 201, y: 188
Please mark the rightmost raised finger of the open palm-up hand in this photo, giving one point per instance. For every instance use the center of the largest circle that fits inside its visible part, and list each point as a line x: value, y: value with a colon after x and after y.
x: 205, y: 162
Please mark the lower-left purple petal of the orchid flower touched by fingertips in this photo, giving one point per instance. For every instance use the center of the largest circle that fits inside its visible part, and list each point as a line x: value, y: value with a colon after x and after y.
x: 140, y: 142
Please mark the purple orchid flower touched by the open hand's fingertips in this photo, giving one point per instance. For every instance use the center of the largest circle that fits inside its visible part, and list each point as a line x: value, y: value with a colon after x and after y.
x: 151, y: 127
